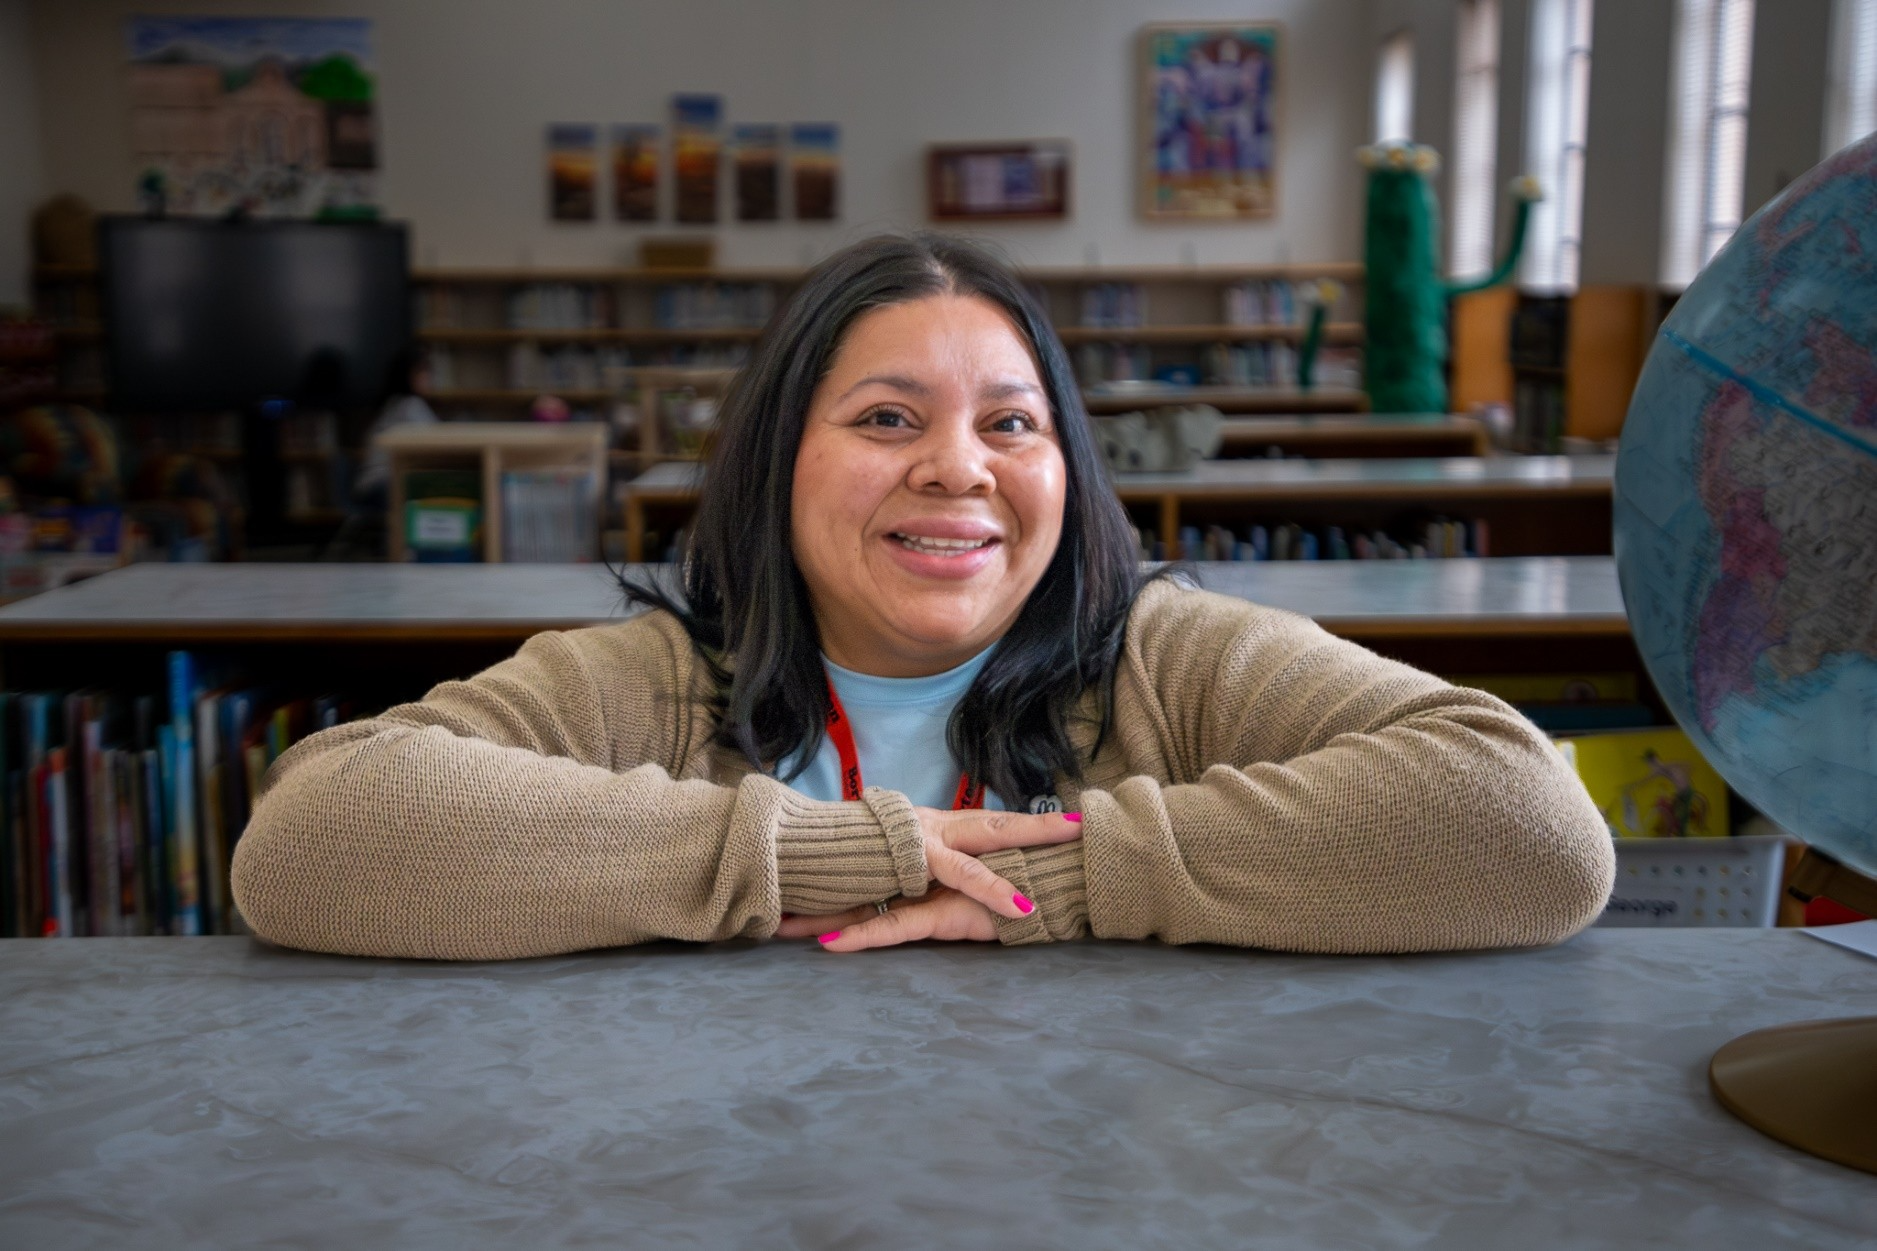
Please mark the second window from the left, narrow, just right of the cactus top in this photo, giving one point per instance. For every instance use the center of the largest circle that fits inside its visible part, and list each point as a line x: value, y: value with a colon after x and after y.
x: 1476, y: 134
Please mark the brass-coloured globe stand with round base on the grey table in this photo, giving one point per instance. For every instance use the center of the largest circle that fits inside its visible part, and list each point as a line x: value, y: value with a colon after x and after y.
x: 1810, y: 1085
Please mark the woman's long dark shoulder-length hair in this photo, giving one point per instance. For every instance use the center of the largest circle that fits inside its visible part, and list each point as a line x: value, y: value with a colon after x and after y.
x: 744, y: 600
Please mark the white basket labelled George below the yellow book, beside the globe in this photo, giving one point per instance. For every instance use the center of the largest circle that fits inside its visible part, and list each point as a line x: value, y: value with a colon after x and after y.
x: 1698, y: 882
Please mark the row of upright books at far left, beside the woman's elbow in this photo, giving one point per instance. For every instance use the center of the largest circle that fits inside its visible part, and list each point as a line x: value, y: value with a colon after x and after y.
x: 123, y: 811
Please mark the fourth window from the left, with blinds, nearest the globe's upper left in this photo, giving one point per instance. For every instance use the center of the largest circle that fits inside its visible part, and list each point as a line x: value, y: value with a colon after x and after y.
x: 1709, y: 134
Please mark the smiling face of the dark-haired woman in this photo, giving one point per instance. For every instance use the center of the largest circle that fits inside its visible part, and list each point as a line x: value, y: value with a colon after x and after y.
x: 928, y: 487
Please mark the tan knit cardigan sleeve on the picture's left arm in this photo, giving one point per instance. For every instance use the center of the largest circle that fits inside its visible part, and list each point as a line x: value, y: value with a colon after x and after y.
x: 538, y: 809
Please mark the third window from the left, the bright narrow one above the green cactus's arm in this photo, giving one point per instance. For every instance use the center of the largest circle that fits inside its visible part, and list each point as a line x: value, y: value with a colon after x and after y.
x: 1555, y: 142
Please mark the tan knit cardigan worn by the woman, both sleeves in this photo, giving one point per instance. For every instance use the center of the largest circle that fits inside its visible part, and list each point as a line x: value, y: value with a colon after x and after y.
x: 1264, y: 786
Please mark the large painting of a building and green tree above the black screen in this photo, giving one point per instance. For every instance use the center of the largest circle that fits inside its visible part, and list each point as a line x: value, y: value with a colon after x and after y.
x: 262, y: 116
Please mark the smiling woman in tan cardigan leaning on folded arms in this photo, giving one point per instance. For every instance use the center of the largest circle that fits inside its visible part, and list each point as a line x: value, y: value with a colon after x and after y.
x: 909, y: 591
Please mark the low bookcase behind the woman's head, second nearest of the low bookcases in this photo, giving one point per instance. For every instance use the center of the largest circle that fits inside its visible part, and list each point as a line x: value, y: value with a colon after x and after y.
x: 1533, y: 506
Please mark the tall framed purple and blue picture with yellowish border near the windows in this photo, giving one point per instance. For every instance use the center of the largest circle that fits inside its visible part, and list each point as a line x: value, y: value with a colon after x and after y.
x: 1210, y: 121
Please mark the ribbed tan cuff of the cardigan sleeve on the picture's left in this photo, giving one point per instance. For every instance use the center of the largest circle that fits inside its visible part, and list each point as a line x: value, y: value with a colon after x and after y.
x: 832, y: 857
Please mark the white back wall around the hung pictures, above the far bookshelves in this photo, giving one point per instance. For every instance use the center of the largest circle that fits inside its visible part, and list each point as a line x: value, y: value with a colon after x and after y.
x: 468, y: 87
